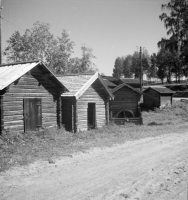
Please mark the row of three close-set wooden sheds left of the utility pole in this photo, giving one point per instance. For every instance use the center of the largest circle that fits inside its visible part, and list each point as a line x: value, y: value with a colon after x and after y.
x: 32, y: 97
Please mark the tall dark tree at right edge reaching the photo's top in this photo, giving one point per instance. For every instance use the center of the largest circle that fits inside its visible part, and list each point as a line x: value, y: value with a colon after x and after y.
x: 176, y: 24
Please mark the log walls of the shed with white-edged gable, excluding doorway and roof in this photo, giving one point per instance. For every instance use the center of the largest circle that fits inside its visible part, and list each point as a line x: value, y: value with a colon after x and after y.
x: 75, y: 111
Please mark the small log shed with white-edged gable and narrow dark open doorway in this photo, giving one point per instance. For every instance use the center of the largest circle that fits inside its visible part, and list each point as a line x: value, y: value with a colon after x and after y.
x: 86, y: 106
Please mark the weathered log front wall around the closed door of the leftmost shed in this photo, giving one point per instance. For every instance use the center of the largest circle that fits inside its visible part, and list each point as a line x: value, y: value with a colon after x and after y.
x: 31, y: 85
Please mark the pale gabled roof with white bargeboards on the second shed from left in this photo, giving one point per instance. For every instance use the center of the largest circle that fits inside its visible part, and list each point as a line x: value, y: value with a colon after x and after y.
x: 78, y: 84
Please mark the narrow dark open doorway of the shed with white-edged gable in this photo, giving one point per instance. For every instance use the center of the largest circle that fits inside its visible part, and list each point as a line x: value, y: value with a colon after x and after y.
x: 91, y: 115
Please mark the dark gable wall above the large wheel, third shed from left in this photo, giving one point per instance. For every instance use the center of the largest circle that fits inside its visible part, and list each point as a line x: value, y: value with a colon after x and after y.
x: 125, y: 98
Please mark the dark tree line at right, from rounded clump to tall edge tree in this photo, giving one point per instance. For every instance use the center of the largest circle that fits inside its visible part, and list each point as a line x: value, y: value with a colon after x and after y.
x: 172, y: 58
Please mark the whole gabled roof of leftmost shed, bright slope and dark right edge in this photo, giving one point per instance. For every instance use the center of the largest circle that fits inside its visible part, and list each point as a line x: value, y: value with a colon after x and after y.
x: 11, y: 72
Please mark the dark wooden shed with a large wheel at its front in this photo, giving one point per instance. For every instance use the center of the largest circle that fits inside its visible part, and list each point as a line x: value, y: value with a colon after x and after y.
x: 125, y: 106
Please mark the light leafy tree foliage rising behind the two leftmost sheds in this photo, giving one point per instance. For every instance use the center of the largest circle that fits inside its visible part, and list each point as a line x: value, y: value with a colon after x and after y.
x: 38, y: 43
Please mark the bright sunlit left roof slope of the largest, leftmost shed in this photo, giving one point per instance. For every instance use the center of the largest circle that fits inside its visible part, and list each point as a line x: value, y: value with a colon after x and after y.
x: 9, y: 73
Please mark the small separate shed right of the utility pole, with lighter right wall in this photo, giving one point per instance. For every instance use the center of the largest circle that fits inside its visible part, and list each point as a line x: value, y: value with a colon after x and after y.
x: 157, y: 96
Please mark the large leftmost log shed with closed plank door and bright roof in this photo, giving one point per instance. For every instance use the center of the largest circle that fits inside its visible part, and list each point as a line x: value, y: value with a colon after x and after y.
x: 29, y: 97
